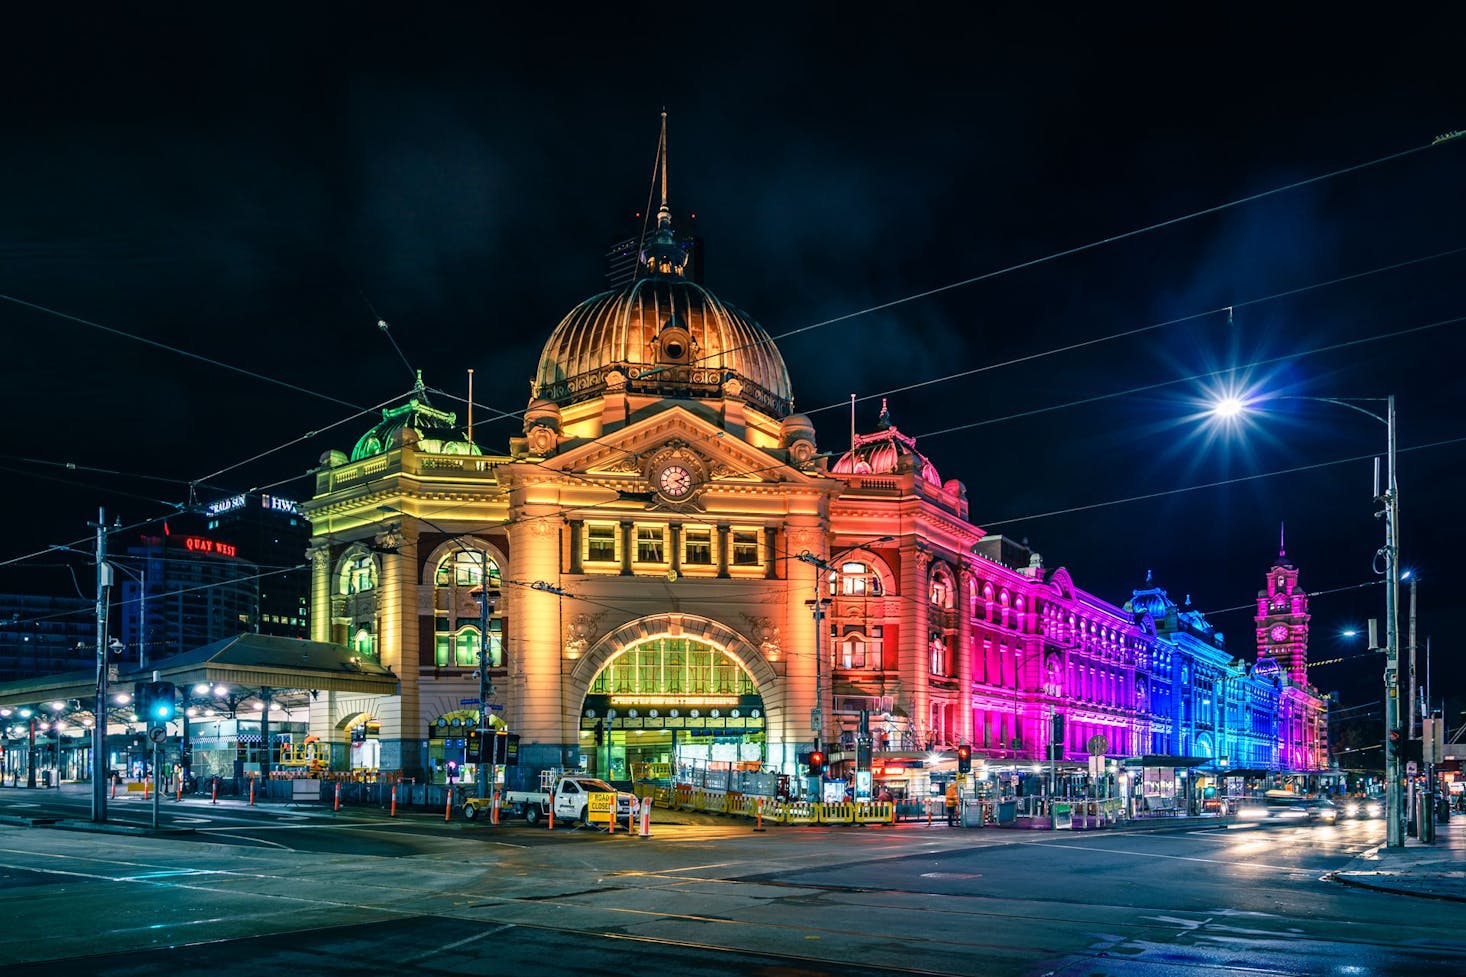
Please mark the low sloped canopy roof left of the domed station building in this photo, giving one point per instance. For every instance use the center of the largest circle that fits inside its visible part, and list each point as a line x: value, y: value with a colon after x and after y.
x: 248, y: 661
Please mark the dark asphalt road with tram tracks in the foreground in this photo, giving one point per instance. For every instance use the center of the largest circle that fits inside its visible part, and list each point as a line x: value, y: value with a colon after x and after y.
x: 282, y: 890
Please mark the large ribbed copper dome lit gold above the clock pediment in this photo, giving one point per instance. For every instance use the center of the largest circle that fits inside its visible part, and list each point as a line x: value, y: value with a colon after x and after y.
x: 663, y: 335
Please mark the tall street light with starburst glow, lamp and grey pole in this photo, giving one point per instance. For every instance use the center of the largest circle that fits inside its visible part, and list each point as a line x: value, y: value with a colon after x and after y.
x: 1391, y: 497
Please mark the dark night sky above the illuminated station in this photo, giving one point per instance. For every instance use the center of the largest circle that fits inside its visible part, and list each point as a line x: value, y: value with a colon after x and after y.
x: 259, y: 189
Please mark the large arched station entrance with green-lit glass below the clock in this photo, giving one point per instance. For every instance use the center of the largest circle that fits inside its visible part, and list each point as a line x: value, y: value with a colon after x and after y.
x: 671, y: 696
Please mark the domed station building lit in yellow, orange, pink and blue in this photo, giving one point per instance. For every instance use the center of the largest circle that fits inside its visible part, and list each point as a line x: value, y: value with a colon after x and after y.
x: 682, y: 580
